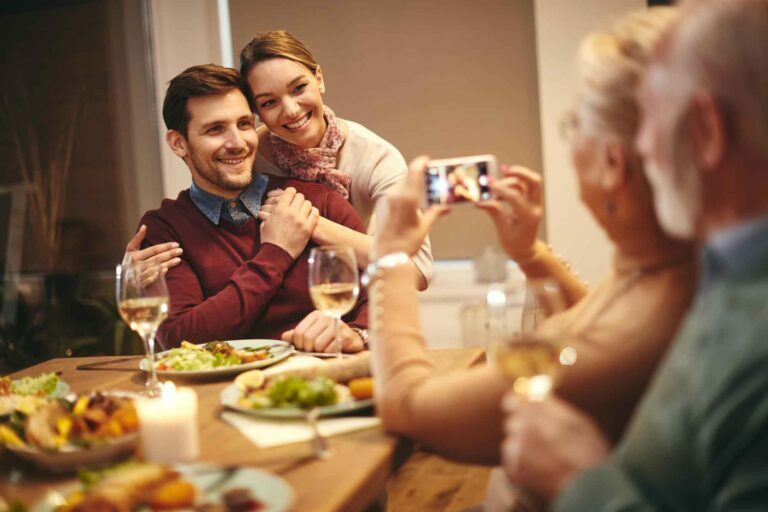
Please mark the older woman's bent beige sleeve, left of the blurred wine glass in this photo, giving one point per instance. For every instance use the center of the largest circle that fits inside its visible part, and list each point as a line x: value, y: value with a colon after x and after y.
x: 457, y: 415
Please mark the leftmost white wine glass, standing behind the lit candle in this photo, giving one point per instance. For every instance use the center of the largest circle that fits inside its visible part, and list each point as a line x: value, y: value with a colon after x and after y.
x: 142, y: 299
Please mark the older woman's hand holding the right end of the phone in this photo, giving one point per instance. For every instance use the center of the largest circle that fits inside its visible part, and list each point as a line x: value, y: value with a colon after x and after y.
x: 516, y: 210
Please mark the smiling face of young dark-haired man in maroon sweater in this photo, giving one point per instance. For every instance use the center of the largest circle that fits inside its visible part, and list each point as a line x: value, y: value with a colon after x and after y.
x: 221, y: 143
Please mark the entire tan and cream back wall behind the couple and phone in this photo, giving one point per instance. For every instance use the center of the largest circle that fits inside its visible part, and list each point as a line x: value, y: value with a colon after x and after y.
x: 446, y: 78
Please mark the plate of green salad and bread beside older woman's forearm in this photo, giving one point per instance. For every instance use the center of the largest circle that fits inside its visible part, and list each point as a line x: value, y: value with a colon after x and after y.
x: 335, y: 388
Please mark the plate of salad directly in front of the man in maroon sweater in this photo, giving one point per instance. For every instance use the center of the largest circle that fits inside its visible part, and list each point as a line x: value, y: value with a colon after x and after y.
x: 218, y: 358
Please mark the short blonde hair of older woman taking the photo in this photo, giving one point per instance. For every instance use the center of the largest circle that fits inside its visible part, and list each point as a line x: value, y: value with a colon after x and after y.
x: 611, y: 67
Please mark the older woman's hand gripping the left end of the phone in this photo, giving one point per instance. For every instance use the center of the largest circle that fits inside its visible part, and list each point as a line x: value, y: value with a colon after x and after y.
x: 400, y: 226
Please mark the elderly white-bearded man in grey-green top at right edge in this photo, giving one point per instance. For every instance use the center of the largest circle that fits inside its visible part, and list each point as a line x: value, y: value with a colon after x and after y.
x: 699, y: 440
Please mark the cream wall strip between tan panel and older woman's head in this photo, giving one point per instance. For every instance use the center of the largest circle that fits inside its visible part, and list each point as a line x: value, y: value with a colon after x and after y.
x: 560, y: 26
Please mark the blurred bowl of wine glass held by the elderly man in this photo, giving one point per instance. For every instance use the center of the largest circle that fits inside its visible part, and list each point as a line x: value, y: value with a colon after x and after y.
x: 531, y: 350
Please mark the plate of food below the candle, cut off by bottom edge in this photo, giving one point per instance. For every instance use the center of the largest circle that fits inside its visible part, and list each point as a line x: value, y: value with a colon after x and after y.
x: 139, y: 486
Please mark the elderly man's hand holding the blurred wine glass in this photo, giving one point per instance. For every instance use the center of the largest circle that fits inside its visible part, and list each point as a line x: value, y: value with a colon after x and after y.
x: 547, y: 443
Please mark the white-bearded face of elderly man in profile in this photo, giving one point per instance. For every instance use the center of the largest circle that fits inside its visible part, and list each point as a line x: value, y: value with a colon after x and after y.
x: 666, y: 149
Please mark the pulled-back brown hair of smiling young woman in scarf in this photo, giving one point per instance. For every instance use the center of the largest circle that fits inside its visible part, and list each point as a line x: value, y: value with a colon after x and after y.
x: 275, y: 44
